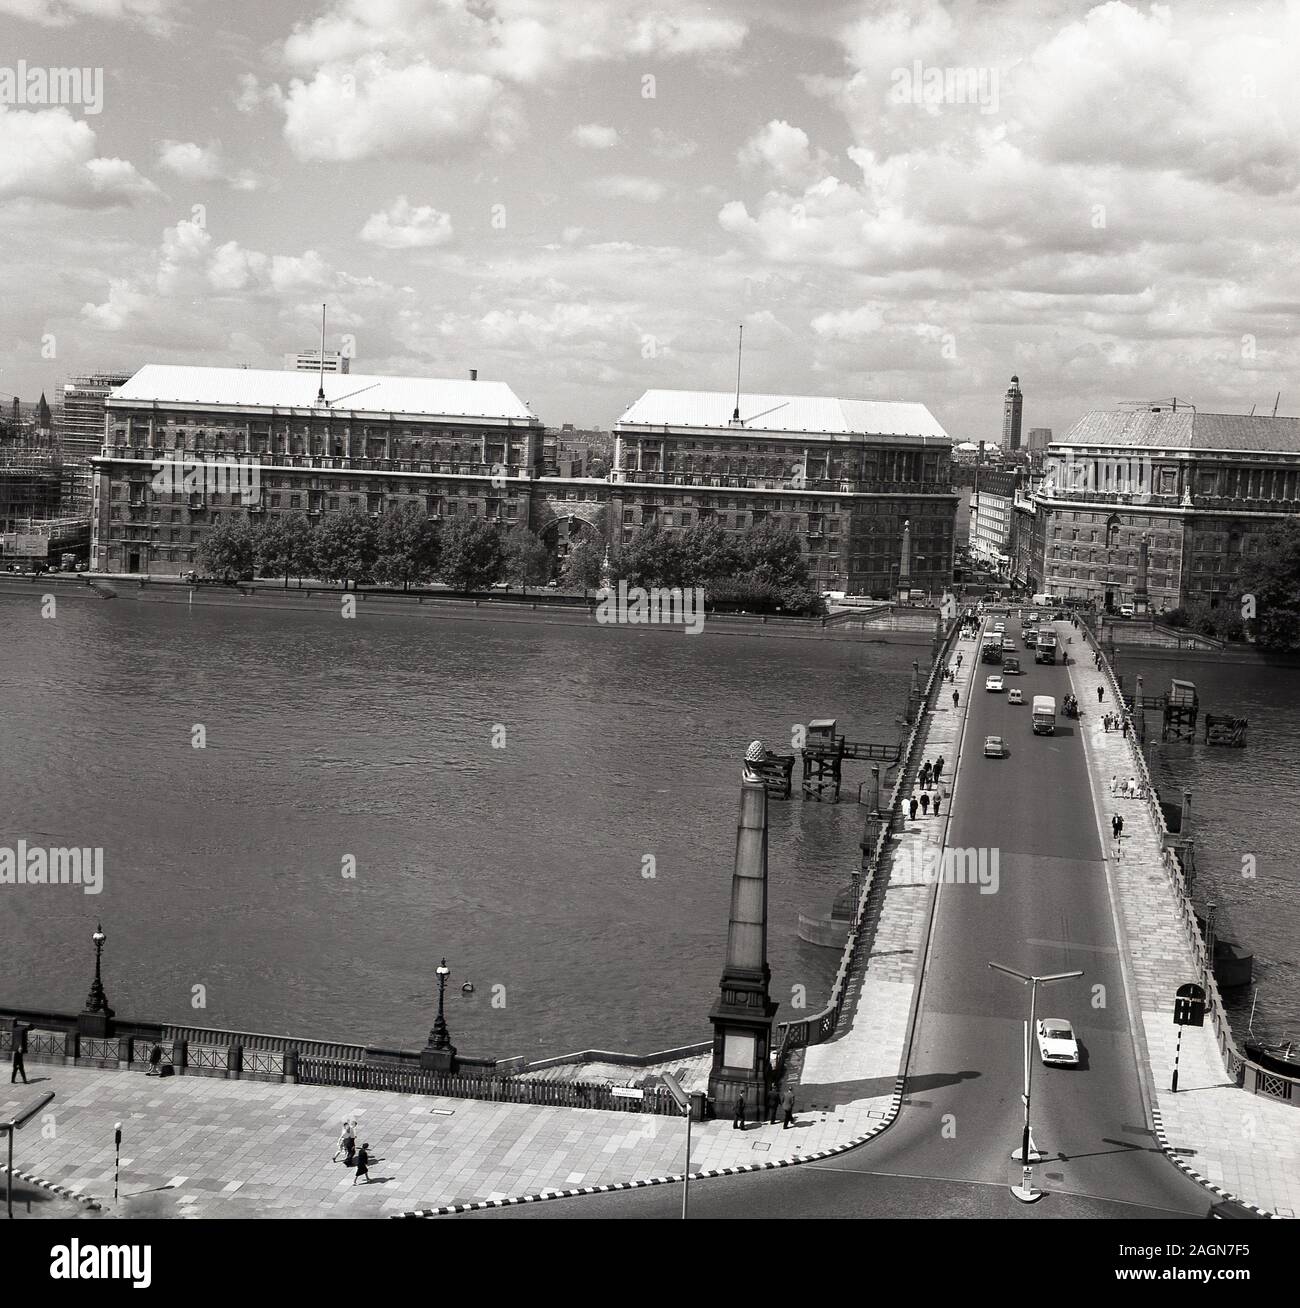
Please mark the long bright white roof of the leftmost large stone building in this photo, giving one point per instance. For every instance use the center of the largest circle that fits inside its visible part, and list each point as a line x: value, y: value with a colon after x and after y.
x: 265, y: 388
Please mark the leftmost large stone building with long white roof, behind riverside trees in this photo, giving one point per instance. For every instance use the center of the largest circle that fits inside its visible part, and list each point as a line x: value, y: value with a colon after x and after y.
x: 451, y: 447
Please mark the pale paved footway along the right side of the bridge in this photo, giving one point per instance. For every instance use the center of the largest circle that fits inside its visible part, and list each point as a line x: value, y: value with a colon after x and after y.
x: 1244, y: 1144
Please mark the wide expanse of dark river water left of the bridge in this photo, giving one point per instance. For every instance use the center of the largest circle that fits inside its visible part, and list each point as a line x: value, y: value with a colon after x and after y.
x: 579, y: 876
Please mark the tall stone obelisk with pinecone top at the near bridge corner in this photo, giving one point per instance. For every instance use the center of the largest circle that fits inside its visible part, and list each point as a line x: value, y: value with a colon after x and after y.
x: 745, y: 1013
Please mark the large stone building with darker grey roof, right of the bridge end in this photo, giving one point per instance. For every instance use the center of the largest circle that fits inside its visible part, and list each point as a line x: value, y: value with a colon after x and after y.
x: 1197, y: 490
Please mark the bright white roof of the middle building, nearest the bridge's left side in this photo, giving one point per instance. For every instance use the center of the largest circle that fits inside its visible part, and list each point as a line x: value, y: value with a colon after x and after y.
x: 822, y: 415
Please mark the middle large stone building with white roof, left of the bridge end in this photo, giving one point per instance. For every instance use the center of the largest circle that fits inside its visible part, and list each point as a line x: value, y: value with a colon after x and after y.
x: 843, y: 474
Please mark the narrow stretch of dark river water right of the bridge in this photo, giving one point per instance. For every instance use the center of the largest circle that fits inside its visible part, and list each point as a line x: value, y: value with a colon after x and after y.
x: 1244, y: 818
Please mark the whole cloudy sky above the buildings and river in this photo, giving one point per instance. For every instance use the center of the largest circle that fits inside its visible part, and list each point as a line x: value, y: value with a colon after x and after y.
x: 584, y: 198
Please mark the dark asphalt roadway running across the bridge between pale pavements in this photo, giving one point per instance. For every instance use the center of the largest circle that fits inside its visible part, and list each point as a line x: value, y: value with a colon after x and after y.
x: 950, y: 1152
